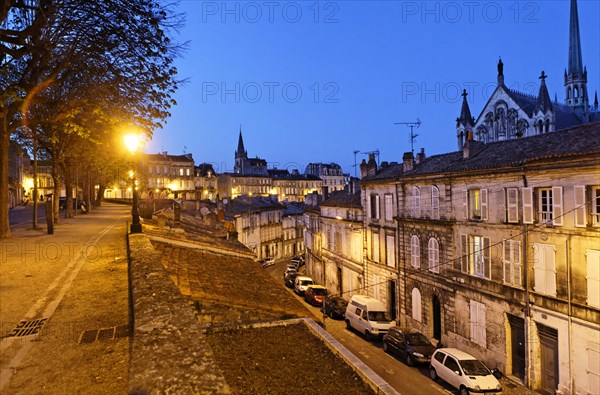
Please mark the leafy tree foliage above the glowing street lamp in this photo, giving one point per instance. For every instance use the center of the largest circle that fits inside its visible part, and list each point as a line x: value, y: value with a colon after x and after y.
x: 77, y: 71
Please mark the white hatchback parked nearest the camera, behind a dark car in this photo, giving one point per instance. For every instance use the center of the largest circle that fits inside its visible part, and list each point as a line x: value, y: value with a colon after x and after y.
x: 462, y: 371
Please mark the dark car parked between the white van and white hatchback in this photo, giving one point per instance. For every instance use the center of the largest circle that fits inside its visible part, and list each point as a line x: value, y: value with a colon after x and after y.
x: 411, y: 345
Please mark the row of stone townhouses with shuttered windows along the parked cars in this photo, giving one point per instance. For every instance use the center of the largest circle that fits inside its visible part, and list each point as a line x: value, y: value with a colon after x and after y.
x: 494, y: 249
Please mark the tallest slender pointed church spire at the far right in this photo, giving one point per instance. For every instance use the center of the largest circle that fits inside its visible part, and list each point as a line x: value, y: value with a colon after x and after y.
x: 576, y: 75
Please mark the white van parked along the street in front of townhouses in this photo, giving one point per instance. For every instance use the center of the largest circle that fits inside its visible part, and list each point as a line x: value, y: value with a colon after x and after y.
x: 368, y: 315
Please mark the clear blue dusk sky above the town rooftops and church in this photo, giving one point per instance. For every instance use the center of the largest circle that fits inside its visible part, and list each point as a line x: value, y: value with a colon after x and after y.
x: 314, y: 81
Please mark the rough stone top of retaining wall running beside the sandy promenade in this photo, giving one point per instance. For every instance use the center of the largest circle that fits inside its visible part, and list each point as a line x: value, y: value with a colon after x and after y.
x: 168, y: 353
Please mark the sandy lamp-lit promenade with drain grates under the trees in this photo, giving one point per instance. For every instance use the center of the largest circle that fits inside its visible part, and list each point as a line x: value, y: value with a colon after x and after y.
x: 71, y: 288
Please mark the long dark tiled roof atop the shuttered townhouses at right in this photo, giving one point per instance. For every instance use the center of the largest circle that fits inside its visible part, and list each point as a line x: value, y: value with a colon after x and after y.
x: 568, y: 143
